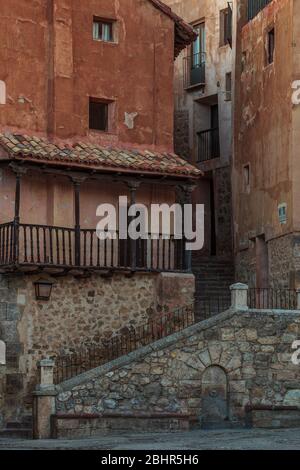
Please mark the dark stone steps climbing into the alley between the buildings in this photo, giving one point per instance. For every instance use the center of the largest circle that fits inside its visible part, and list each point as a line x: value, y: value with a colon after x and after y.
x: 214, y: 276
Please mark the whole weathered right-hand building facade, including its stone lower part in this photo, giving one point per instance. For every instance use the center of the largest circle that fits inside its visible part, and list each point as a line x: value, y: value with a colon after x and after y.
x: 266, y: 167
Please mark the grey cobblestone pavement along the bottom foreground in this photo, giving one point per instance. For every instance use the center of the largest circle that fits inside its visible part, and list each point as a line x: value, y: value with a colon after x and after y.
x: 193, y: 440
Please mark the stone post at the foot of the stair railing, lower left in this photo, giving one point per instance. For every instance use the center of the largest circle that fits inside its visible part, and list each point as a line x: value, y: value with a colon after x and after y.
x: 44, y: 401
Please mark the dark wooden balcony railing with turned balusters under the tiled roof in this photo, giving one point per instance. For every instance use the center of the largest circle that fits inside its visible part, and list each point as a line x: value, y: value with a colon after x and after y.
x: 50, y: 246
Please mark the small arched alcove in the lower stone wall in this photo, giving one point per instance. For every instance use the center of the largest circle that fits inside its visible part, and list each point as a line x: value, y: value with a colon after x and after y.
x: 215, y: 406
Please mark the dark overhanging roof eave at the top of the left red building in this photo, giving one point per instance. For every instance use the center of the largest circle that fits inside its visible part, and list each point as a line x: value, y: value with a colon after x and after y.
x: 184, y: 33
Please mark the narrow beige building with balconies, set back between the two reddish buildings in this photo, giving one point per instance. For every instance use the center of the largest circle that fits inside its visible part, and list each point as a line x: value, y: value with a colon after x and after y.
x: 203, y: 132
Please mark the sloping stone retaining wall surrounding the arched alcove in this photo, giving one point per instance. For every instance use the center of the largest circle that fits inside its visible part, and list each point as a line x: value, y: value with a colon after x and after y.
x: 253, y: 350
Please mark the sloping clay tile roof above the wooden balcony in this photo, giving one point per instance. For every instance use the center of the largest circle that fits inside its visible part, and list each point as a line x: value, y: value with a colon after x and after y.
x: 88, y: 155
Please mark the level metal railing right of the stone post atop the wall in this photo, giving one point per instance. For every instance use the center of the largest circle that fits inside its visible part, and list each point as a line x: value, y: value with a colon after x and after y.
x: 269, y: 298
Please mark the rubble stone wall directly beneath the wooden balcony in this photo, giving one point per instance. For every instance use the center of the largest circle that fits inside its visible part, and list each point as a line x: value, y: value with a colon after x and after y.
x: 81, y: 311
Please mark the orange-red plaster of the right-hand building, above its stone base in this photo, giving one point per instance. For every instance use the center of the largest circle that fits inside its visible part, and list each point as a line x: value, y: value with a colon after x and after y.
x: 263, y: 122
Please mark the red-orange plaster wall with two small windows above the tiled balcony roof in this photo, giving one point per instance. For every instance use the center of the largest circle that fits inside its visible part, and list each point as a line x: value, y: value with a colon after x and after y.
x: 51, y: 66
